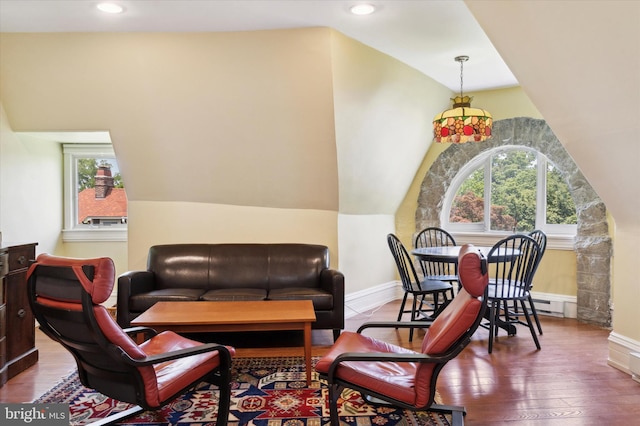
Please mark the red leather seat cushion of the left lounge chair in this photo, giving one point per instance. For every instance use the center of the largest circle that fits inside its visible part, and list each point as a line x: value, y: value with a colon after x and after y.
x: 173, y: 376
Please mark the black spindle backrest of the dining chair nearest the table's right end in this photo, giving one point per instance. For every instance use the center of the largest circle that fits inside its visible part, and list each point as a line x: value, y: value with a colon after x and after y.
x: 518, y: 258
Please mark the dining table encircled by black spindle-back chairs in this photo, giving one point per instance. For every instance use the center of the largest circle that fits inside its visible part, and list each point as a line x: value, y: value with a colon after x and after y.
x: 450, y: 254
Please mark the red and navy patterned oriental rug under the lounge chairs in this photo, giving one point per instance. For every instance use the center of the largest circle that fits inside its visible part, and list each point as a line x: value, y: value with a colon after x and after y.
x: 265, y: 392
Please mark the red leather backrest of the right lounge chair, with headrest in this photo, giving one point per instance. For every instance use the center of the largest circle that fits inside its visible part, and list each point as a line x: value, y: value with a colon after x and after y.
x: 451, y: 331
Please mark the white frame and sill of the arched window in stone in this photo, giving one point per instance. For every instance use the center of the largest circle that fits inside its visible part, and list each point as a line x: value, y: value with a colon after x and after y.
x: 559, y: 236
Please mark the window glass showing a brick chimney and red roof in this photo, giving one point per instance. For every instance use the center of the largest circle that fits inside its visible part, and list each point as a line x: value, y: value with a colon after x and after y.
x: 102, y: 200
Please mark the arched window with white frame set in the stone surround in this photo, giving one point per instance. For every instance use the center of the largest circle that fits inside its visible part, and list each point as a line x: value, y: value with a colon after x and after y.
x: 509, y: 189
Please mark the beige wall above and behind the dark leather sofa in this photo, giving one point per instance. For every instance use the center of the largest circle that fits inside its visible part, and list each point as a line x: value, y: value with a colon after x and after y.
x: 198, y: 121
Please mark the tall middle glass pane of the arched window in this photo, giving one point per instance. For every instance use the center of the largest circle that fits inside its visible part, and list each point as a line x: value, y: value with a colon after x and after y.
x: 513, y: 191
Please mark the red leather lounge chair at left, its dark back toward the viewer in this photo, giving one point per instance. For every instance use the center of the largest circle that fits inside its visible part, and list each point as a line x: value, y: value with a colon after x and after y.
x: 66, y: 295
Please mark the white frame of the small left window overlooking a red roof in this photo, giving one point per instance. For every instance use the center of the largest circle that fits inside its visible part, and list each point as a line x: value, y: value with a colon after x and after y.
x: 74, y: 231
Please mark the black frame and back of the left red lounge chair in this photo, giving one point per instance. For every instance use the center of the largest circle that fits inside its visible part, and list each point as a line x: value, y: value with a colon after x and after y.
x: 99, y: 359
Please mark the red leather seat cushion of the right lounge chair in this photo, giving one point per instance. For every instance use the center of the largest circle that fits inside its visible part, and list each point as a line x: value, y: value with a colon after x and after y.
x: 394, y: 379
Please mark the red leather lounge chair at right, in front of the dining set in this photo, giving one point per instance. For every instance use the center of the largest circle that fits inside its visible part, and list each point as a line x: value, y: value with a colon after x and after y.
x: 402, y: 377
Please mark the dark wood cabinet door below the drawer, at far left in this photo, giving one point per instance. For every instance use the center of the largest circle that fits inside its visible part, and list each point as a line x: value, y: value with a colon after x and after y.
x: 18, y: 316
